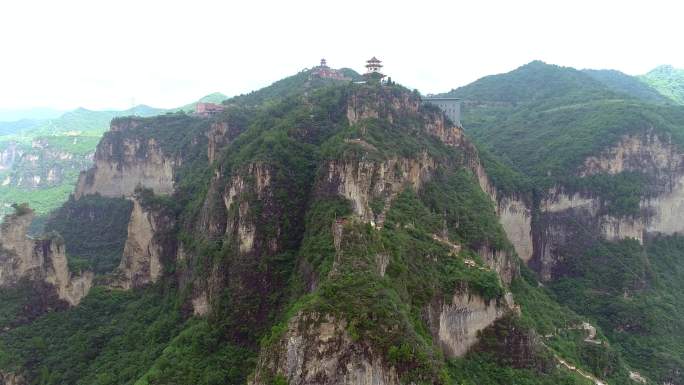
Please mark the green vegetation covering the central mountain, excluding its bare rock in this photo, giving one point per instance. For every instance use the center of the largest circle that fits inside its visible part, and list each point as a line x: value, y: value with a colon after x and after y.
x: 149, y: 337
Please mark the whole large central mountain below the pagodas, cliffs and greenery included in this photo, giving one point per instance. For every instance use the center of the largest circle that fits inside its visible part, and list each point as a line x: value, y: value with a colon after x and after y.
x: 345, y: 234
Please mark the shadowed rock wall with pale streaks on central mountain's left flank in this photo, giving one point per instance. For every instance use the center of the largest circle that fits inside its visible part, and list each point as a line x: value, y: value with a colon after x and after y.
x: 237, y: 209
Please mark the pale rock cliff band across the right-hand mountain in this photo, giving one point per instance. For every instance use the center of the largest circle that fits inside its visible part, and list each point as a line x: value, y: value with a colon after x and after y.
x: 569, y: 216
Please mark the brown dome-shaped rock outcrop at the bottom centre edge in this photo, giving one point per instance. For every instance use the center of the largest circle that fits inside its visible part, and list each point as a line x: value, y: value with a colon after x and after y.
x: 318, y: 350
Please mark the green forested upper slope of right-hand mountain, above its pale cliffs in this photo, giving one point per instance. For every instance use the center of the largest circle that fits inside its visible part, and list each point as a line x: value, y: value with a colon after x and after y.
x: 555, y: 125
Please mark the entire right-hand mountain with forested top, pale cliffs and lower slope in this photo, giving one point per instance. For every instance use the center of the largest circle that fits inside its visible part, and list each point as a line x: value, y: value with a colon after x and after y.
x: 604, y: 175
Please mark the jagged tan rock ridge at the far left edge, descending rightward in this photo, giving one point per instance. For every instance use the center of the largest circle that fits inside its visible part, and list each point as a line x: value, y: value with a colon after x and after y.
x: 38, y: 259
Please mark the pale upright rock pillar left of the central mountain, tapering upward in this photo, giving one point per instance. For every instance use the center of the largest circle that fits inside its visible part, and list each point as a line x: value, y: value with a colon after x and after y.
x: 141, y: 262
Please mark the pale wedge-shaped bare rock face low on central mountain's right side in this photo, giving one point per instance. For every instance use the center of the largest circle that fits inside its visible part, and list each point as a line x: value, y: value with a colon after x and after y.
x: 456, y: 324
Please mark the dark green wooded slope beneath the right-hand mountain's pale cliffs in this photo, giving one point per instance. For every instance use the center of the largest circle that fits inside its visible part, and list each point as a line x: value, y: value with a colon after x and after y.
x: 634, y: 293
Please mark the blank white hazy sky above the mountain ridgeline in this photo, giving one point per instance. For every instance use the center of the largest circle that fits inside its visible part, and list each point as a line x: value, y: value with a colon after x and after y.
x: 109, y: 54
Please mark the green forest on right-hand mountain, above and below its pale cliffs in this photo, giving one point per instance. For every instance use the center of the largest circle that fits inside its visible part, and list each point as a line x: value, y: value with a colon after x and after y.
x: 544, y: 121
